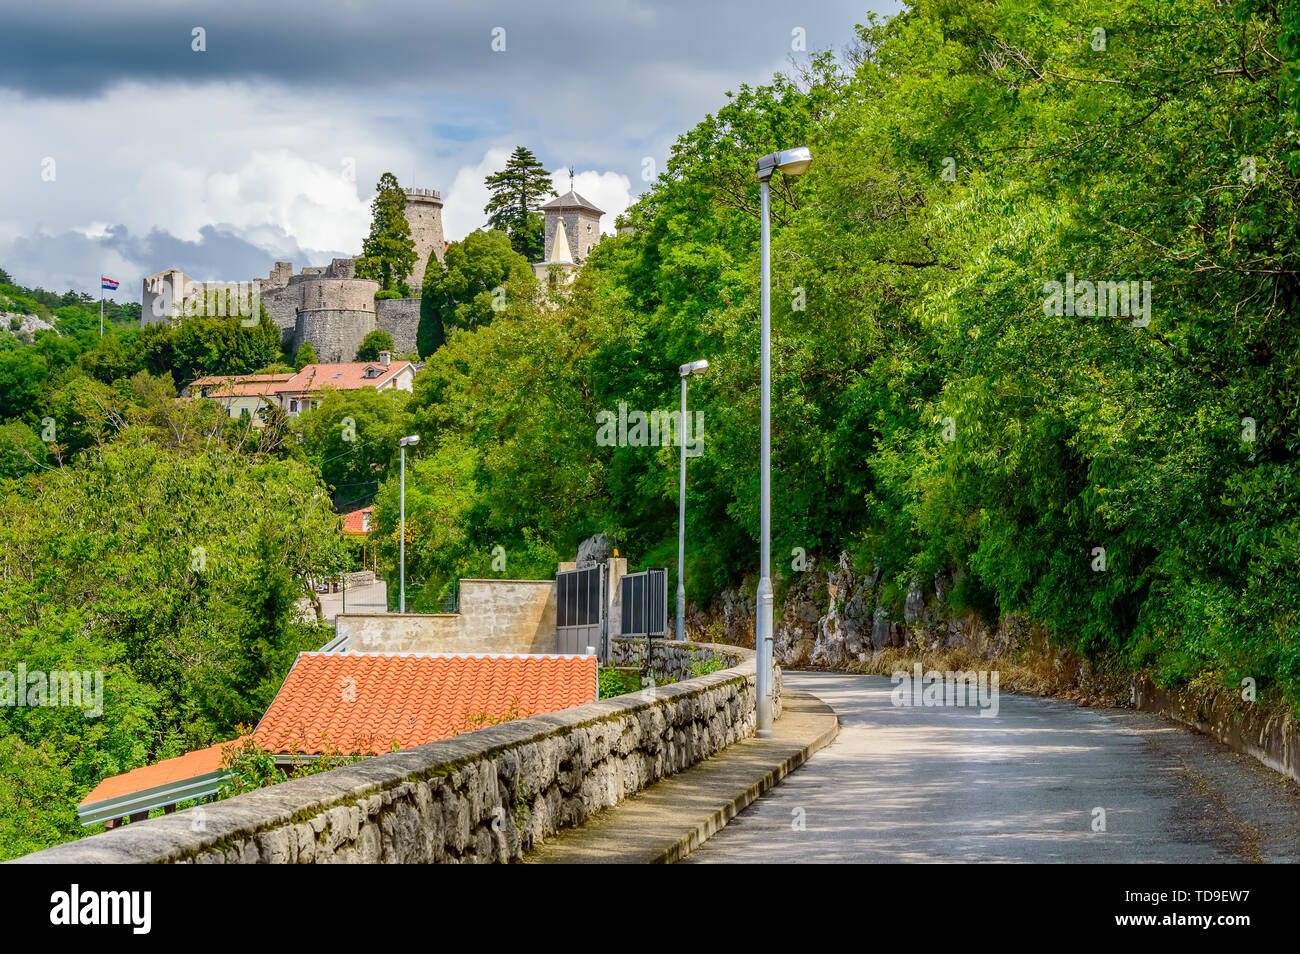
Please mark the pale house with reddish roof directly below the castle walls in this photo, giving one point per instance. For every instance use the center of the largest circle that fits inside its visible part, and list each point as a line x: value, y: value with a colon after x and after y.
x: 300, y: 392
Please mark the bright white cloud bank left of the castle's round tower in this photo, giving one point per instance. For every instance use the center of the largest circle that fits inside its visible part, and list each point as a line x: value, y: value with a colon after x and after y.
x: 181, y: 159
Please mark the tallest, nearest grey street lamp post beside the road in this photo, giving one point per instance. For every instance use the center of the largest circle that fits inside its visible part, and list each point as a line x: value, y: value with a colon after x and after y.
x: 791, y: 163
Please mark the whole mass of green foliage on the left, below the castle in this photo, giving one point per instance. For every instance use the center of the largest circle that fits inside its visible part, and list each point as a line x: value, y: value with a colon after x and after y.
x: 150, y: 541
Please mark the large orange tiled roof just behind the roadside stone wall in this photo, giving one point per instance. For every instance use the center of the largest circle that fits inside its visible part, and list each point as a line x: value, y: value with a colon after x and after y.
x: 366, y: 703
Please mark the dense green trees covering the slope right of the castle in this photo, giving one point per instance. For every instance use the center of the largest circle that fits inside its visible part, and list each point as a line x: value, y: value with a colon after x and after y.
x: 1125, y: 475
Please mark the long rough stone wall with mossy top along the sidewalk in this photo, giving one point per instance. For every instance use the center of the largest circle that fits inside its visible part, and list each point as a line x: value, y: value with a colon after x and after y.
x: 486, y: 796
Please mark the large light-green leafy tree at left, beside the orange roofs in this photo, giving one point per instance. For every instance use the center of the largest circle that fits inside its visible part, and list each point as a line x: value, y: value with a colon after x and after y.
x: 175, y: 574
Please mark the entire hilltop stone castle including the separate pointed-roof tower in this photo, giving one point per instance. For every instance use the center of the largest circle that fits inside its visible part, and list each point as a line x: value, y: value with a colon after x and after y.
x: 333, y: 310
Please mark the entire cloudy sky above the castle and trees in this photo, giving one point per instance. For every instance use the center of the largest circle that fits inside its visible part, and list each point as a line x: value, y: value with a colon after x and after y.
x: 128, y: 151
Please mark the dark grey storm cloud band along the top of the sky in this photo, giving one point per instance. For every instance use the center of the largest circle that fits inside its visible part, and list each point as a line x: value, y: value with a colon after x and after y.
x: 76, y: 49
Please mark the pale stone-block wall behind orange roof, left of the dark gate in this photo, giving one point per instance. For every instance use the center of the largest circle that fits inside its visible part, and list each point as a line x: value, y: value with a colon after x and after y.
x: 496, y: 617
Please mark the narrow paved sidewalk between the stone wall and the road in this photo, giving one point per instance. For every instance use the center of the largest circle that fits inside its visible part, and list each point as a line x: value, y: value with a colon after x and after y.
x: 670, y: 819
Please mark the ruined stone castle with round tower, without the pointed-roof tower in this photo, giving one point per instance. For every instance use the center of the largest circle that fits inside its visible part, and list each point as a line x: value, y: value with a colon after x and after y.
x: 327, y: 306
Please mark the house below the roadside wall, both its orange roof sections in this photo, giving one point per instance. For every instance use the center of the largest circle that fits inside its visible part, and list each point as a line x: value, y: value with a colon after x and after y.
x: 361, y: 704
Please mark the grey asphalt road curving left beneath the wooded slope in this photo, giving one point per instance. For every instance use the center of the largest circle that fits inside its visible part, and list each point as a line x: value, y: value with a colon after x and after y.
x: 944, y: 784
